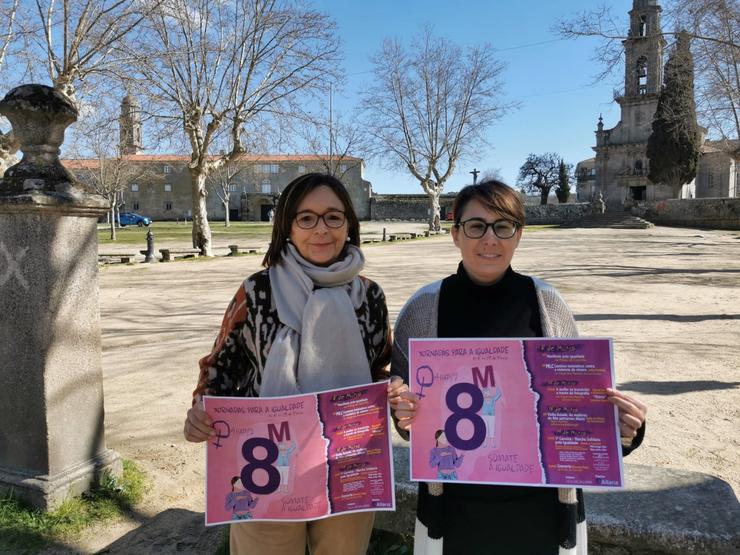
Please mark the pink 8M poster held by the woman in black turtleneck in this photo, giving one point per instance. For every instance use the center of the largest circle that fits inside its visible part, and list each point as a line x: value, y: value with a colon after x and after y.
x: 515, y: 411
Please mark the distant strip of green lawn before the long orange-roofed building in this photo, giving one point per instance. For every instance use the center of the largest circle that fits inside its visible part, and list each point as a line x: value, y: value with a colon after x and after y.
x: 238, y: 232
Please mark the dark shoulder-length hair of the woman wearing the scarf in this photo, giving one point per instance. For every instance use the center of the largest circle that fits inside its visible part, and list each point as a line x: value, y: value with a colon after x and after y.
x: 287, y: 207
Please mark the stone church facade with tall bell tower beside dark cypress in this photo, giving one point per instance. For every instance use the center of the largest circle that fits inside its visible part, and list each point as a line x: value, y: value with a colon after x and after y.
x: 620, y: 167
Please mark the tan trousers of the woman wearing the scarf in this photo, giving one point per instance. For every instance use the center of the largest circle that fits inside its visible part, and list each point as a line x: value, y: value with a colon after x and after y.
x: 347, y: 534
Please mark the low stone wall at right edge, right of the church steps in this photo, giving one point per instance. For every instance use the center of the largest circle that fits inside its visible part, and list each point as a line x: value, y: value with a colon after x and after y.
x: 710, y: 213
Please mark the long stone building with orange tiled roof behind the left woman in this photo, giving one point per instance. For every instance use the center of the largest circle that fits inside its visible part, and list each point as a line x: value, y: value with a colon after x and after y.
x: 253, y: 182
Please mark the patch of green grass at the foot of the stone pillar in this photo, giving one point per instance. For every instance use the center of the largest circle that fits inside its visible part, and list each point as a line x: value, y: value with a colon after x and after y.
x: 26, y: 530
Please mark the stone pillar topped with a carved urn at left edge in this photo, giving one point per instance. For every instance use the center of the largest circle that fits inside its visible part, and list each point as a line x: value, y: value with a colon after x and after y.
x: 51, y: 389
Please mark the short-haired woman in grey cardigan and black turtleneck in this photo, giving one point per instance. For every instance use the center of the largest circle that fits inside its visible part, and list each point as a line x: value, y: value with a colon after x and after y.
x: 486, y: 298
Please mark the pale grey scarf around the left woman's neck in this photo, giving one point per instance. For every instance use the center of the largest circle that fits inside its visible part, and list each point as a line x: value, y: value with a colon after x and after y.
x: 319, y: 346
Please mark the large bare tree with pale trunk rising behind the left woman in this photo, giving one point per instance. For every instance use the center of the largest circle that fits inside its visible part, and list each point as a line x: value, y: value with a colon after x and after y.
x: 214, y: 67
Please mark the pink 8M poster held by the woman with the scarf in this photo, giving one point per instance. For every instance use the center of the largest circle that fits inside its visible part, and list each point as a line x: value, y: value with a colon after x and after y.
x: 301, y: 457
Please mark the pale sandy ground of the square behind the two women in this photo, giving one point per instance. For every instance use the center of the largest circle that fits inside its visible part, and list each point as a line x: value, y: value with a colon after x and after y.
x: 670, y: 298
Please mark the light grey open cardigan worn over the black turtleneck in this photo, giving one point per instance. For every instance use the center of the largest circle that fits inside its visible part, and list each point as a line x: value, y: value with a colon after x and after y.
x: 418, y: 319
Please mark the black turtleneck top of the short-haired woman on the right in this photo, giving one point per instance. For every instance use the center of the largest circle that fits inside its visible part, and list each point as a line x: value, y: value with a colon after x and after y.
x: 495, y: 519
